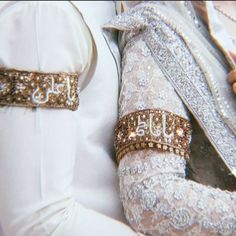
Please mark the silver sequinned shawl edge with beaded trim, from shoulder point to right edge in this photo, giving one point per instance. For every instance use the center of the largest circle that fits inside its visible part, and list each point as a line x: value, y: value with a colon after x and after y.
x: 189, y: 75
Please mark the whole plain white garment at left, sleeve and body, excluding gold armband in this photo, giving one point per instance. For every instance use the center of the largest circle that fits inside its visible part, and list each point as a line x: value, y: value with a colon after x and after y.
x: 58, y: 174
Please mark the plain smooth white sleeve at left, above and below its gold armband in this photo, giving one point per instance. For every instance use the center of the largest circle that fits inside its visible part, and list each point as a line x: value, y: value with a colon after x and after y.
x: 38, y: 146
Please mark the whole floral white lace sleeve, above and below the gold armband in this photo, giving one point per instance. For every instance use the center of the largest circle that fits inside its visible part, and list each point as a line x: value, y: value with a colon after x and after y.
x: 157, y: 198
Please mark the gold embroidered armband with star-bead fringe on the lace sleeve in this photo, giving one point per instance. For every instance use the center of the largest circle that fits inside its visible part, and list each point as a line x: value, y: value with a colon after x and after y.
x: 155, y: 129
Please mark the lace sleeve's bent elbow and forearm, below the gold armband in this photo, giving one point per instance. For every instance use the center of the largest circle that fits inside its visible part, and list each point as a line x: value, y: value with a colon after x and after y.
x: 158, y: 202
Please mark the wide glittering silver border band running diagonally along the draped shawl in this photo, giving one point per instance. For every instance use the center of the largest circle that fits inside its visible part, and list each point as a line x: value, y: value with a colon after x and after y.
x: 181, y: 77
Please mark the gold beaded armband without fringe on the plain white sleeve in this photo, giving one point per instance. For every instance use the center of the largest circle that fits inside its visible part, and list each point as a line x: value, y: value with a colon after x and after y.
x: 36, y: 89
